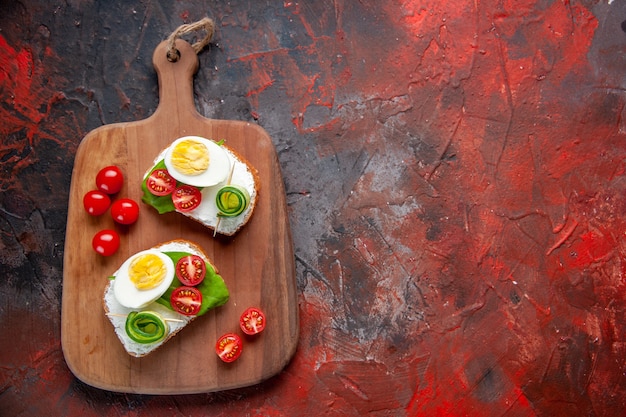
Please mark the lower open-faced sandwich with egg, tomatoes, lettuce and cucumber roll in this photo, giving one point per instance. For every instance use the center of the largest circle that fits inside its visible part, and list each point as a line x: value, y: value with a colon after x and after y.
x: 155, y: 293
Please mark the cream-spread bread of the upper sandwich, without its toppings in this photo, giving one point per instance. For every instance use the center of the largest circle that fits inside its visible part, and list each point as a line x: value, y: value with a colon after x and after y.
x: 243, y: 174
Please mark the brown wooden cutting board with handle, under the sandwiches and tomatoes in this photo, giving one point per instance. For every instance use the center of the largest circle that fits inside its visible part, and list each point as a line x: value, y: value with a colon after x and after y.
x: 257, y: 264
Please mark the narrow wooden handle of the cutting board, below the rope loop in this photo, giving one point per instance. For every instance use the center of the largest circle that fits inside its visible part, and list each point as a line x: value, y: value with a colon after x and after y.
x: 175, y: 81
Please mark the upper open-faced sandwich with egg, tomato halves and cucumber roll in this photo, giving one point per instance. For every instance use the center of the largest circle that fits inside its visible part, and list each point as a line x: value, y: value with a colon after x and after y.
x: 204, y: 180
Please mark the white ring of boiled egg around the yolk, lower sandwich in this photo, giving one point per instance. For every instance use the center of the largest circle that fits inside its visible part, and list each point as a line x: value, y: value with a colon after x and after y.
x: 128, y: 295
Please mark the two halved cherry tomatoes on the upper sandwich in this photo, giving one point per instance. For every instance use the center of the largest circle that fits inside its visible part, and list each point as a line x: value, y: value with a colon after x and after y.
x: 184, y: 197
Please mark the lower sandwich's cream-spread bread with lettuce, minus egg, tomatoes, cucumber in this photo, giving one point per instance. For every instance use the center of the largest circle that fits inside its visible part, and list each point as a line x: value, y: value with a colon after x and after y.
x: 175, y: 322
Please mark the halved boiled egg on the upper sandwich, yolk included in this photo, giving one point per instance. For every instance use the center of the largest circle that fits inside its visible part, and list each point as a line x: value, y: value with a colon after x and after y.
x: 197, y: 161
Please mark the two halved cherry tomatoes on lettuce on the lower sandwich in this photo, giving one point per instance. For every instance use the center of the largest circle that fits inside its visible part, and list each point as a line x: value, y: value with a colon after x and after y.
x: 190, y: 271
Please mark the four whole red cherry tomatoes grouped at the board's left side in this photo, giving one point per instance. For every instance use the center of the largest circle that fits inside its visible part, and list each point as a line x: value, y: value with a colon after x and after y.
x: 109, y: 181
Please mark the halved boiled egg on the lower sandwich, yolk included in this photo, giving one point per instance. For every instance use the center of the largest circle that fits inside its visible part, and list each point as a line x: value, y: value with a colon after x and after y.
x: 143, y: 278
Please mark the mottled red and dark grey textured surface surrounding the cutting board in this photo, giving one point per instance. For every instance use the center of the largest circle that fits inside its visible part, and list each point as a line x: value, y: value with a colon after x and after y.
x: 456, y: 174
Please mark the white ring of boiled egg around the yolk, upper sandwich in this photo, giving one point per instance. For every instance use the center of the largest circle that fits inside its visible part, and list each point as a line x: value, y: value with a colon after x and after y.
x: 217, y: 171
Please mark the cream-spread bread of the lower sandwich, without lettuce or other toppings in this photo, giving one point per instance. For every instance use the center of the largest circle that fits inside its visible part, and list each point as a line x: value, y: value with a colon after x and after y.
x: 117, y: 313
